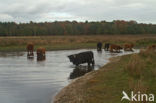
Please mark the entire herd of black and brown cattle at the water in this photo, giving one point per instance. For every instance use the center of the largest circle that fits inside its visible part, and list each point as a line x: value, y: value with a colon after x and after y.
x: 83, y: 57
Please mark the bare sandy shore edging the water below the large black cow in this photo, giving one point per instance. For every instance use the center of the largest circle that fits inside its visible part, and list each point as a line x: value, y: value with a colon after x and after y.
x: 72, y: 92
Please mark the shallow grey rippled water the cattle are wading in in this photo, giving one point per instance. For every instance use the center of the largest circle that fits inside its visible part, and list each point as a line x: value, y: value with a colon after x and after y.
x: 27, y: 81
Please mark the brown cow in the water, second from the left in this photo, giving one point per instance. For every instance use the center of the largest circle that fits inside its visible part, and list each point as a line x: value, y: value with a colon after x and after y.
x: 41, y: 54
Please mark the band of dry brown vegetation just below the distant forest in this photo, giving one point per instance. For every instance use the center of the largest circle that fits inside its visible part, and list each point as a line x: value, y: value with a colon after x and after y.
x: 45, y: 40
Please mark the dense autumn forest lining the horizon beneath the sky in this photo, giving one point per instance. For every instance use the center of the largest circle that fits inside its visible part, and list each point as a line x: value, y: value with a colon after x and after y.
x: 75, y: 28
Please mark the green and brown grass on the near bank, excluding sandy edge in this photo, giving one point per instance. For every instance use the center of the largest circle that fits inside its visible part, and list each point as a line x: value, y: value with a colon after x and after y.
x: 135, y: 72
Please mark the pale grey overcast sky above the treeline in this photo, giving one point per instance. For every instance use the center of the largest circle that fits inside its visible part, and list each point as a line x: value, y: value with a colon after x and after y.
x: 80, y: 10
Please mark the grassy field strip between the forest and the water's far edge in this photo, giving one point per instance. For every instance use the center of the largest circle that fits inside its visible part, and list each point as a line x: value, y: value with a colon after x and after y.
x: 72, y: 42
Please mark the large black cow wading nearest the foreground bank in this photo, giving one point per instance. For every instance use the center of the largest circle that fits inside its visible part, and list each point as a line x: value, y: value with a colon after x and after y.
x: 84, y: 57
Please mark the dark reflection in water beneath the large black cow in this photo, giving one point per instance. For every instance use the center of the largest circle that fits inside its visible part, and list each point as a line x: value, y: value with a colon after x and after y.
x: 80, y: 71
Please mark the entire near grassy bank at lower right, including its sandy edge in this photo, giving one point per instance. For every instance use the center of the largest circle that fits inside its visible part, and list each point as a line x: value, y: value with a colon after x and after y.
x: 136, y: 72
